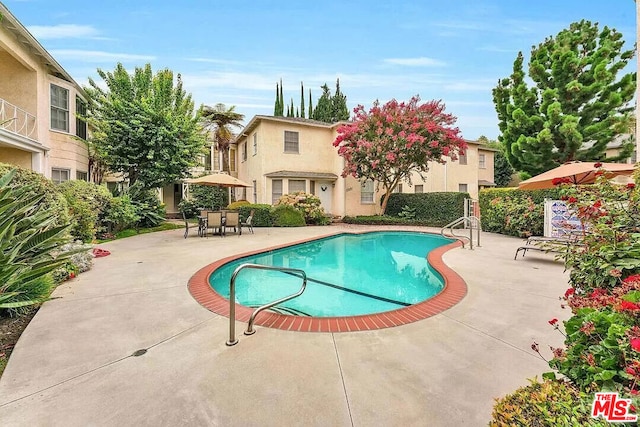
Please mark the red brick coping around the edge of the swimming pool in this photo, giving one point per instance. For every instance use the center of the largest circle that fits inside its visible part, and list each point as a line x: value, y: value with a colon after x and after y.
x: 454, y: 291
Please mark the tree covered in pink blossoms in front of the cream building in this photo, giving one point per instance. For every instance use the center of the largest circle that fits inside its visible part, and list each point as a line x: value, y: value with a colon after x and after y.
x: 390, y: 142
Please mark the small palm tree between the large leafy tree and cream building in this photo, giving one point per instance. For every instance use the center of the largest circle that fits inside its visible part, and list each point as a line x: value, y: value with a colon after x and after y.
x: 220, y: 120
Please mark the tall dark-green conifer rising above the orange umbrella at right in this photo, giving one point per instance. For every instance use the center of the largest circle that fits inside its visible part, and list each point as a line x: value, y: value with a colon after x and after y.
x: 577, y: 104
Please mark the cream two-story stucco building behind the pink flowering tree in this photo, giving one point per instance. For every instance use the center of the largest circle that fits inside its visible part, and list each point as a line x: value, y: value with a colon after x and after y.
x: 280, y: 155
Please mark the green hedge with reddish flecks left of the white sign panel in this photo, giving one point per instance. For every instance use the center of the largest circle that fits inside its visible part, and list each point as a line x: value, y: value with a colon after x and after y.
x: 513, y: 211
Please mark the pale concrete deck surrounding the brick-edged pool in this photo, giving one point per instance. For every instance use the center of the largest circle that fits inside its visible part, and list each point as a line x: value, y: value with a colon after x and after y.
x: 75, y: 366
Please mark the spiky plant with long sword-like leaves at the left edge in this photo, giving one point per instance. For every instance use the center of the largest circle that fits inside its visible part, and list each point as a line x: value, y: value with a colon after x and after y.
x: 29, y: 239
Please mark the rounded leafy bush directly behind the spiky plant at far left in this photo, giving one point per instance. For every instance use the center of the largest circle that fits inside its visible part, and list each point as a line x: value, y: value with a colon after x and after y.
x: 40, y: 185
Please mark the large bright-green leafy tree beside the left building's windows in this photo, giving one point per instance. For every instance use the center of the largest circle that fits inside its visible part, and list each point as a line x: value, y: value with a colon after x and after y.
x: 144, y: 125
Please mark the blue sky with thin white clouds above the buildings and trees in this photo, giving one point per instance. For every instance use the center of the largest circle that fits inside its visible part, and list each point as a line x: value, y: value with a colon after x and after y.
x: 235, y: 52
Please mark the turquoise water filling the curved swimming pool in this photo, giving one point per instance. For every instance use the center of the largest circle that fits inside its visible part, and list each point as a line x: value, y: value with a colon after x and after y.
x: 347, y: 274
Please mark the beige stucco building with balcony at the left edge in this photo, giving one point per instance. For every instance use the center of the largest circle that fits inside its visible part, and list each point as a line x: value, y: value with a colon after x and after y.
x: 38, y: 104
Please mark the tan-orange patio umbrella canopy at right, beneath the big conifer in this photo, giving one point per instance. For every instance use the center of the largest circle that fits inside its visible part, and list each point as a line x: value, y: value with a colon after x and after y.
x: 576, y: 173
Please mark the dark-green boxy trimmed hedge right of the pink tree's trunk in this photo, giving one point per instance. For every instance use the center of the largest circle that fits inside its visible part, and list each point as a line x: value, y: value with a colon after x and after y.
x: 432, y: 209
